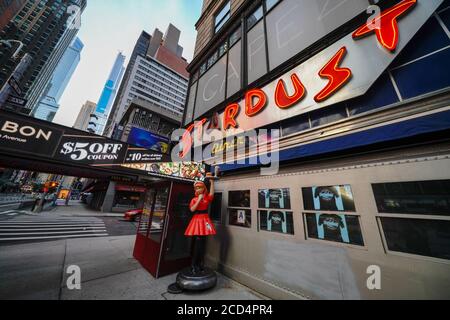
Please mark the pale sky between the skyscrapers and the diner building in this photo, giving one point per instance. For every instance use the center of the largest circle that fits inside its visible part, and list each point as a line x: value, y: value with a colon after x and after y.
x: 112, y: 26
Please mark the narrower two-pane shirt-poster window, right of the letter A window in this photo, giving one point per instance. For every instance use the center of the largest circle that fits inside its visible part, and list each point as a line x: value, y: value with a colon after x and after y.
x: 271, y: 214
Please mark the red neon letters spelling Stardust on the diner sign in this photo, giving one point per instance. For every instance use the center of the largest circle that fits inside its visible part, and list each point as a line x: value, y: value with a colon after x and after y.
x: 338, y: 76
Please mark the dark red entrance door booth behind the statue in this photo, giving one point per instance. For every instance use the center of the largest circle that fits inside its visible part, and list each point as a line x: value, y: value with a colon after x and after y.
x: 161, y: 246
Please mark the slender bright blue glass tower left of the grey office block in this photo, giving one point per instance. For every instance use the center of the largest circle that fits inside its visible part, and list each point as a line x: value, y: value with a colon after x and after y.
x: 106, y: 100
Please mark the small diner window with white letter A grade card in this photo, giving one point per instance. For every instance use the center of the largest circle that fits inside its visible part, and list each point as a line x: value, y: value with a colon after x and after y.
x: 239, y: 212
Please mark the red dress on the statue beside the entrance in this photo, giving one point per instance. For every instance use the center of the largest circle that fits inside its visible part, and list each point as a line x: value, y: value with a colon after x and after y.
x: 201, y: 224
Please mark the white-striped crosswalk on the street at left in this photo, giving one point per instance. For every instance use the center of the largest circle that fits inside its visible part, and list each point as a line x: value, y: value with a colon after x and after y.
x: 39, y: 228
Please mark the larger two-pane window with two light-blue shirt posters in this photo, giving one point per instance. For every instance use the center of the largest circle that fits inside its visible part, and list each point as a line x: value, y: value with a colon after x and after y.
x: 338, y: 221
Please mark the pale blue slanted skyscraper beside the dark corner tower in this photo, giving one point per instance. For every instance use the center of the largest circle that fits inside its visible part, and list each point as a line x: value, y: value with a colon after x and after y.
x: 49, y: 104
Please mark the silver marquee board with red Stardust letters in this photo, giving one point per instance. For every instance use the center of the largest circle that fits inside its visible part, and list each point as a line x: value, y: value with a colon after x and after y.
x: 342, y: 65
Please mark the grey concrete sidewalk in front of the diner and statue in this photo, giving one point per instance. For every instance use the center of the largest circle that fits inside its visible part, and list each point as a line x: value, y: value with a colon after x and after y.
x: 108, y: 272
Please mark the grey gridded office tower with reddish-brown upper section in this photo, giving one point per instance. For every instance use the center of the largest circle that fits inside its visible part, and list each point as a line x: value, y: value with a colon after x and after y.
x: 156, y: 74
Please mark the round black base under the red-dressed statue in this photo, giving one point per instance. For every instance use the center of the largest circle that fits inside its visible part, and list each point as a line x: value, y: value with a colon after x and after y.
x: 190, y: 281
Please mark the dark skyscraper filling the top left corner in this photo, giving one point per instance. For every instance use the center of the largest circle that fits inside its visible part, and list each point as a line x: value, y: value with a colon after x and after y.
x: 41, y: 30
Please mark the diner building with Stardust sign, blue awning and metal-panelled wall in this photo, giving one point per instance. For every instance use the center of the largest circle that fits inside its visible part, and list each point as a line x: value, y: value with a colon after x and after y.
x: 353, y: 122
